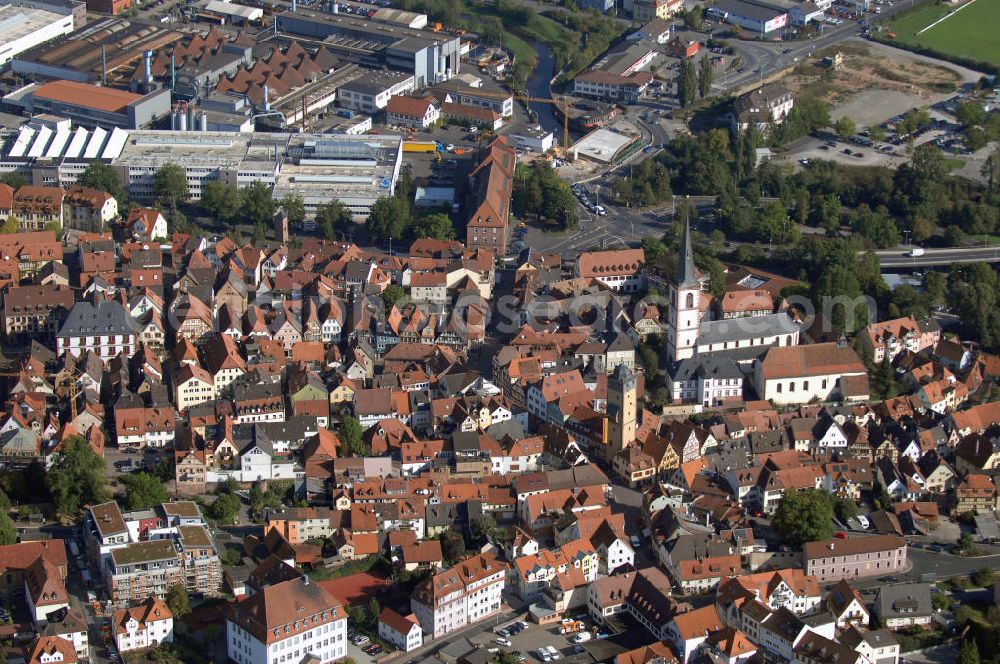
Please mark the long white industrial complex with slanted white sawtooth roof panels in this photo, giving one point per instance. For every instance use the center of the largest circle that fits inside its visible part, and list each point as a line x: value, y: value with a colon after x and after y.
x: 356, y: 170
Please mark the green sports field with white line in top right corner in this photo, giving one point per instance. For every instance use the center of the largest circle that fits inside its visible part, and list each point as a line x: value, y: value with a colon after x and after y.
x: 971, y: 33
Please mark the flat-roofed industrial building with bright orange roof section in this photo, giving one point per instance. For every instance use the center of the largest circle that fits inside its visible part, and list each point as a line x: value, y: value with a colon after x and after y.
x: 92, y: 105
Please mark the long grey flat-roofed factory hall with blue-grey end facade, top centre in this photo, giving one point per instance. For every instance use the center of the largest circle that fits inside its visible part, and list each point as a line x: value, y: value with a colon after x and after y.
x: 431, y: 57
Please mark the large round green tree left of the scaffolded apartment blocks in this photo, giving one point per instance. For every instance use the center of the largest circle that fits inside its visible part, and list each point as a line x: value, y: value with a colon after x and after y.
x: 77, y: 478
